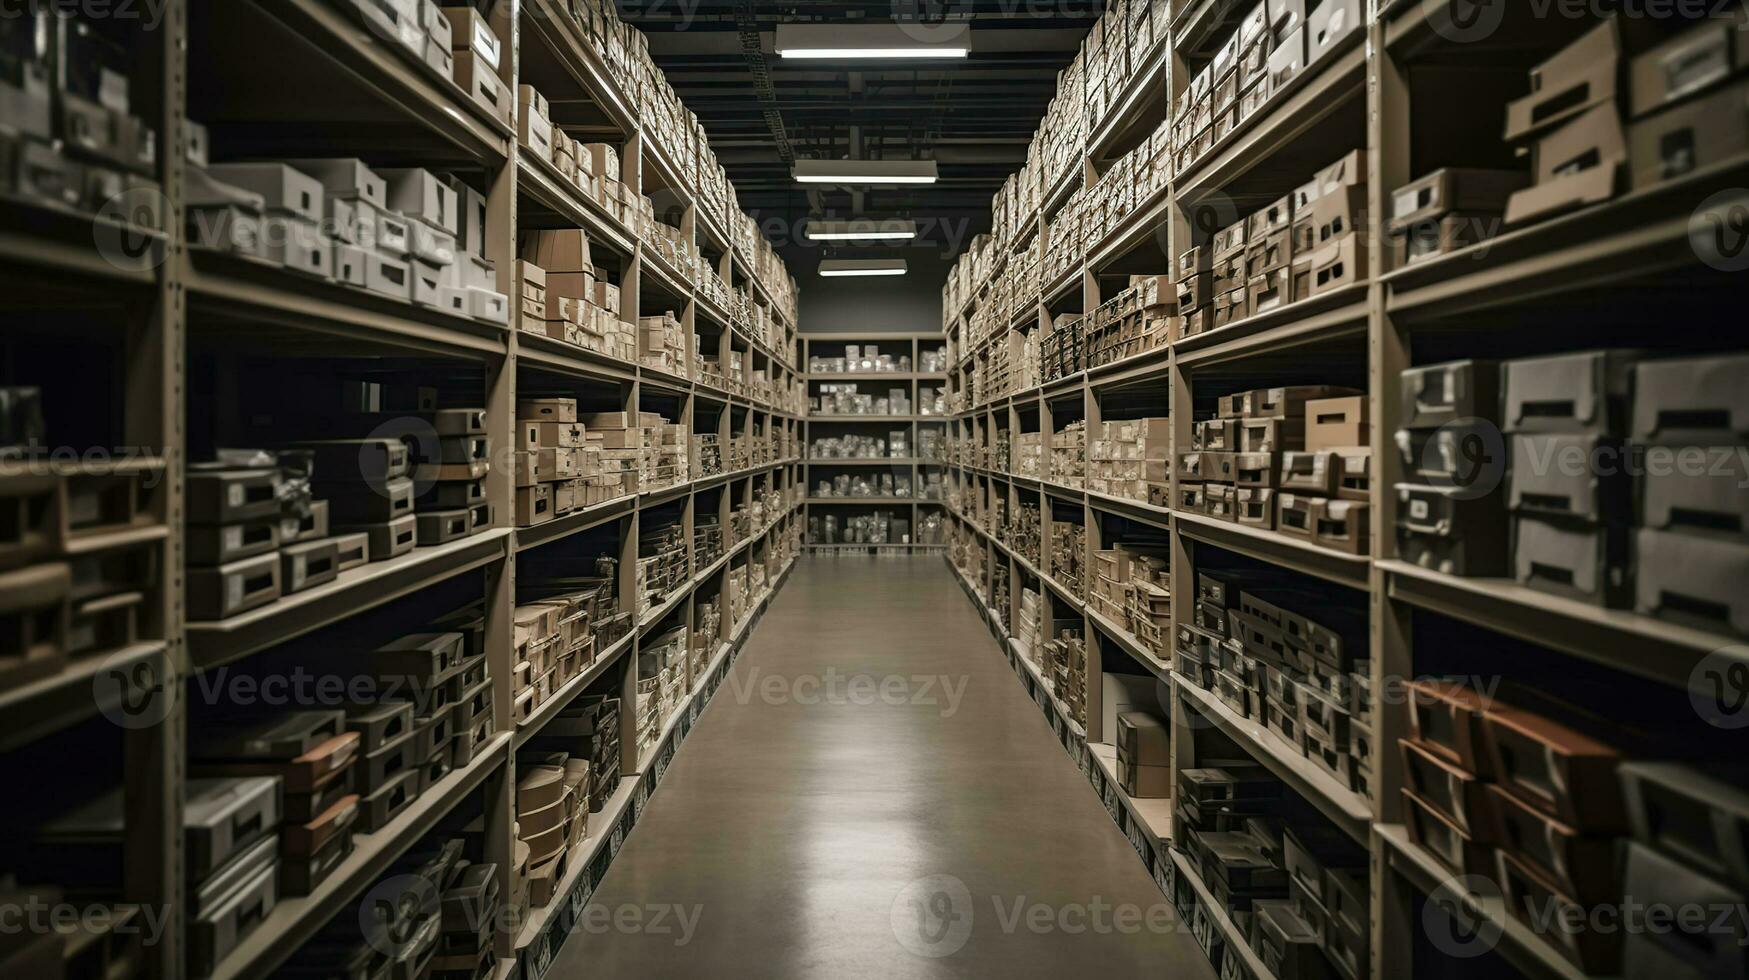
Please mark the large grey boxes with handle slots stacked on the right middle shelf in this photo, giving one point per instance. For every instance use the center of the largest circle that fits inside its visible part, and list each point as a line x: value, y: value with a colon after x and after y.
x: 1580, y: 428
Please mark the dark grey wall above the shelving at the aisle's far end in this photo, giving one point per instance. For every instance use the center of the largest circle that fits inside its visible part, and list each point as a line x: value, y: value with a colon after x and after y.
x: 870, y: 305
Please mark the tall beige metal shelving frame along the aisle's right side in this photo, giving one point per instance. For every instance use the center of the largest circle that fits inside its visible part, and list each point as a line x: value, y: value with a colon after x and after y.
x: 1458, y: 305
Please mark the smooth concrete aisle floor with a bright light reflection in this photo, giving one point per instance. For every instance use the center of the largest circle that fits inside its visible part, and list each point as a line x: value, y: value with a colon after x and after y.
x: 837, y: 816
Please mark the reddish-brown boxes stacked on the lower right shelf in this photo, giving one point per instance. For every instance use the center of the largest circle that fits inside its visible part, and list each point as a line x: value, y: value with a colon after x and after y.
x: 1549, y: 836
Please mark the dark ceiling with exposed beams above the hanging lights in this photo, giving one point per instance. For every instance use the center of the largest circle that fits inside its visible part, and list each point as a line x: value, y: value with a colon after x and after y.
x: 975, y: 118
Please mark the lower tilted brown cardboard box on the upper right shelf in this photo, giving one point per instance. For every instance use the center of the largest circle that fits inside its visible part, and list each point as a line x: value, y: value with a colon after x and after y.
x: 1577, y: 165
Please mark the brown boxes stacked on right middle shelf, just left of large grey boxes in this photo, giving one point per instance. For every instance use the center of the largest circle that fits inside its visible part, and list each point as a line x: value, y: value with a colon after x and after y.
x: 1293, y: 461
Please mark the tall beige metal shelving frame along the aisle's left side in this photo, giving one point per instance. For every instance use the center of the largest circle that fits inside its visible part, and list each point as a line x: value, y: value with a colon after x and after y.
x: 181, y: 300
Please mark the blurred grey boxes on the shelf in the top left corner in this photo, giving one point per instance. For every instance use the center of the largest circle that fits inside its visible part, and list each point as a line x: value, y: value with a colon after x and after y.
x: 71, y: 137
